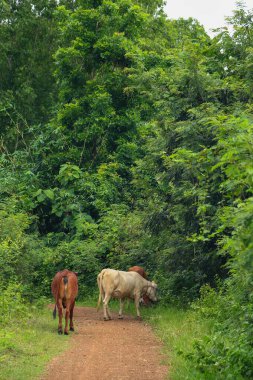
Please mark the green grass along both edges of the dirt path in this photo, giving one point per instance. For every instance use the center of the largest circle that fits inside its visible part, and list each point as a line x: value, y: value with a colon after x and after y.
x: 28, y: 346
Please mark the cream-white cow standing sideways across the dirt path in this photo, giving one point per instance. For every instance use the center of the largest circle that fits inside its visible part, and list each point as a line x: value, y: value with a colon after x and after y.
x: 122, y: 285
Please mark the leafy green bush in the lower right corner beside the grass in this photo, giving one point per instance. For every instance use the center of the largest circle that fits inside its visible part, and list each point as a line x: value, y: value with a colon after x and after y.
x: 227, y: 352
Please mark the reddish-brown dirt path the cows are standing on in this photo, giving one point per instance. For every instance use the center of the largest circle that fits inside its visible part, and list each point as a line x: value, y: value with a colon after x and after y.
x: 114, y: 350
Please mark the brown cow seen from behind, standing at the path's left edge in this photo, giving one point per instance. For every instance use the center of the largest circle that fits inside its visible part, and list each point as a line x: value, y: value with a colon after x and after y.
x: 64, y: 289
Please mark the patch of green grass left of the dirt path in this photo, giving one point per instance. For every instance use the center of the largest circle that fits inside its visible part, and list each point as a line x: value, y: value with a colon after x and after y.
x: 26, y: 346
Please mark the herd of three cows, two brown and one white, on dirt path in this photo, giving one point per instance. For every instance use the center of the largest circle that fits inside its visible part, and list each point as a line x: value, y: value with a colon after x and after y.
x: 111, y: 284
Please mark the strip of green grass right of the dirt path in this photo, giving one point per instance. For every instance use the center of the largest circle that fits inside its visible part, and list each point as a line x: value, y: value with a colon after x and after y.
x: 178, y: 329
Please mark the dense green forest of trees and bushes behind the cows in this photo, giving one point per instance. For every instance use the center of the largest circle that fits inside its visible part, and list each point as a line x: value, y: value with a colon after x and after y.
x: 126, y: 138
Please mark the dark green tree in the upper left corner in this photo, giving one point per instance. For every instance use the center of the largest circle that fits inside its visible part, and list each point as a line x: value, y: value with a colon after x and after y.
x: 27, y: 86
